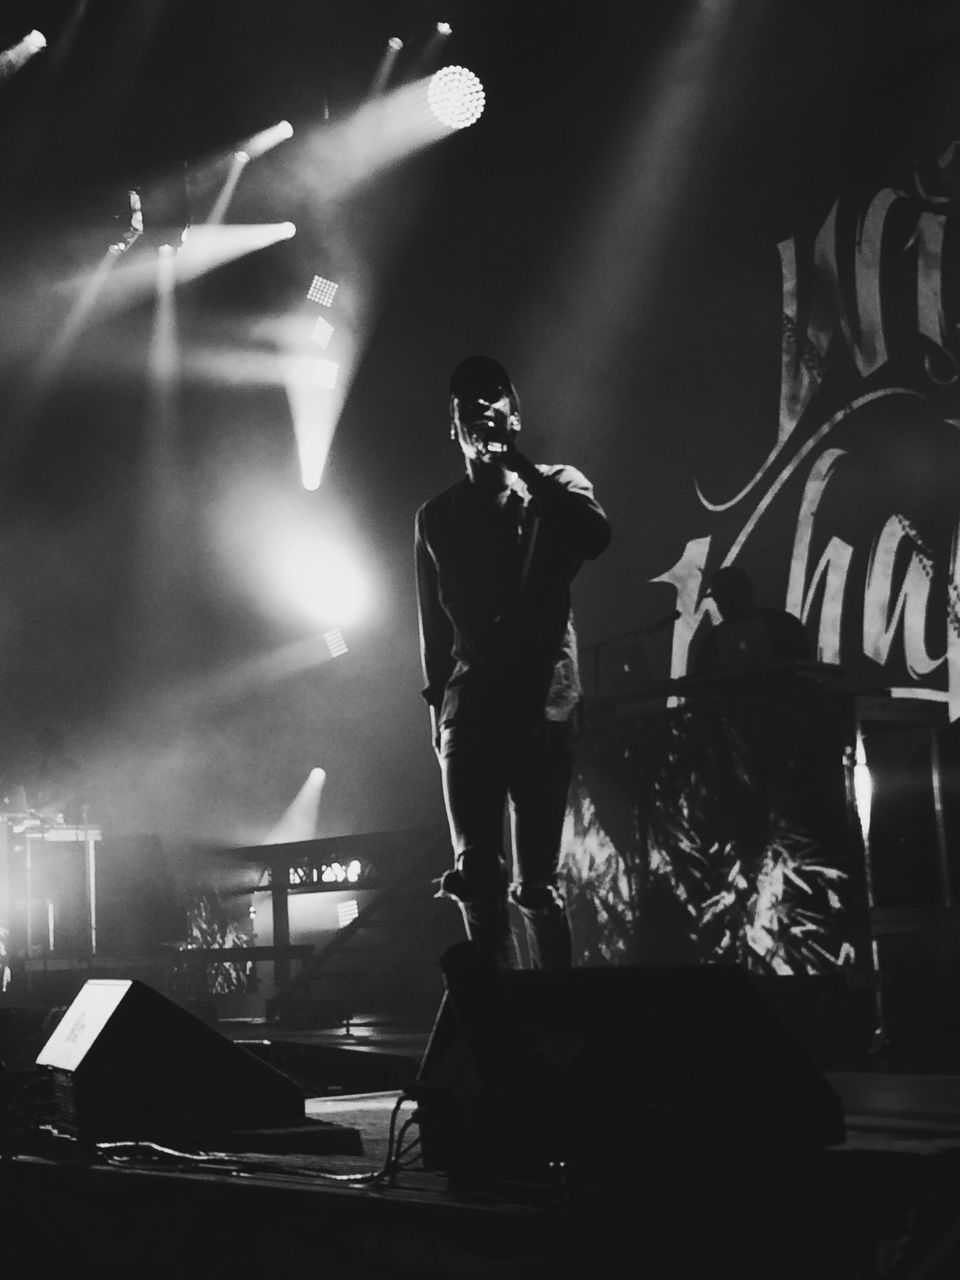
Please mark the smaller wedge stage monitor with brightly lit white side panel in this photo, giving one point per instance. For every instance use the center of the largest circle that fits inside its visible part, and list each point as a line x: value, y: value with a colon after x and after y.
x: 129, y: 1064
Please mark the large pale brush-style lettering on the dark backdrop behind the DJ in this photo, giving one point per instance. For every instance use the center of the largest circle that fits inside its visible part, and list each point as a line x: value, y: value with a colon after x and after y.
x: 819, y: 309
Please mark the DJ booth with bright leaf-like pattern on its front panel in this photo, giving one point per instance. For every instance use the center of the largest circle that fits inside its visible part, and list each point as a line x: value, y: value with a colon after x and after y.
x: 780, y: 820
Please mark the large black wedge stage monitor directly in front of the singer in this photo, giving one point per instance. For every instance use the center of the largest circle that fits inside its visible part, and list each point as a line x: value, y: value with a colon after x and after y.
x: 527, y: 1071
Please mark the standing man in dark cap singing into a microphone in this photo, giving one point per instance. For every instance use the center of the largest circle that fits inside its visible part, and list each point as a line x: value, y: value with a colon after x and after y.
x: 496, y: 556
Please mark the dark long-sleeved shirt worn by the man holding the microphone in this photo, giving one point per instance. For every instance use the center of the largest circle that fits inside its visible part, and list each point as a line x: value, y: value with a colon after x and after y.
x: 497, y: 636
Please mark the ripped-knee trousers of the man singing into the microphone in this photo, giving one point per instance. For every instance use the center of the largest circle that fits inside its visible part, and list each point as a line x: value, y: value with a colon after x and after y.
x: 490, y: 771
